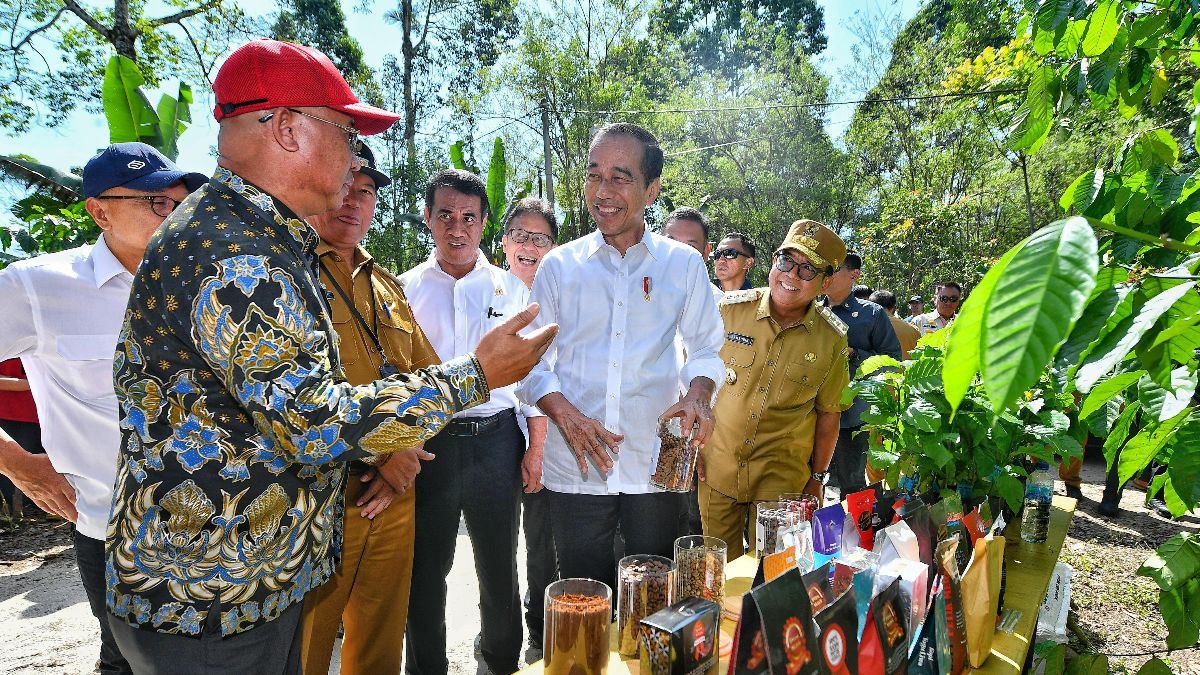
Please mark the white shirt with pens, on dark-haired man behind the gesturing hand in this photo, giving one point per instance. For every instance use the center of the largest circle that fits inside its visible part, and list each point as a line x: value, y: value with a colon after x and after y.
x: 457, y: 313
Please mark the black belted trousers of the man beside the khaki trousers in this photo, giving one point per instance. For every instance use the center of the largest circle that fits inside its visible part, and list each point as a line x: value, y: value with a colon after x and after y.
x: 479, y: 477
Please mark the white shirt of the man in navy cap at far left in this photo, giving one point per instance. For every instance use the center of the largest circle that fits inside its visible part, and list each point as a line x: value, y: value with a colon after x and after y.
x: 62, y: 315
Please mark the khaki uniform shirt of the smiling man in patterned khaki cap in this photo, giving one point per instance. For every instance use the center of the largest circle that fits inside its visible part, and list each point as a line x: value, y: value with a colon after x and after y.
x: 776, y: 383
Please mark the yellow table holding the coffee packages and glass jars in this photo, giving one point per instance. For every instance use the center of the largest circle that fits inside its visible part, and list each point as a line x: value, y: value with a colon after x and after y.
x: 1029, y: 569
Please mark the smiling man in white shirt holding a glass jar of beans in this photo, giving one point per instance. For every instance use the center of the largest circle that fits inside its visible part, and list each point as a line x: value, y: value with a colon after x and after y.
x: 621, y: 297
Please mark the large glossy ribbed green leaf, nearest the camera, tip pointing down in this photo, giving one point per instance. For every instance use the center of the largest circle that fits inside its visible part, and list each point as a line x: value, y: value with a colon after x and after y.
x: 1035, y: 306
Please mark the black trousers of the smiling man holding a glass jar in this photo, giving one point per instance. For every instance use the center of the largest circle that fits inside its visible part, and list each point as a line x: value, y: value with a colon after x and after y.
x: 586, y: 525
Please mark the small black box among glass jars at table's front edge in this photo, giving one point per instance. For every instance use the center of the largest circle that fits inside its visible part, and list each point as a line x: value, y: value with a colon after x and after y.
x: 682, y: 640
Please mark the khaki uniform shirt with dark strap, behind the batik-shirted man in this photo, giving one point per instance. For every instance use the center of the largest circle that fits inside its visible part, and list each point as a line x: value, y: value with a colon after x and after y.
x: 392, y: 319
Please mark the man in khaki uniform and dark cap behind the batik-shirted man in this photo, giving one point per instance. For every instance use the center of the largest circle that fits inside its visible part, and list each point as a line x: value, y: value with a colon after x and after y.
x: 369, y: 593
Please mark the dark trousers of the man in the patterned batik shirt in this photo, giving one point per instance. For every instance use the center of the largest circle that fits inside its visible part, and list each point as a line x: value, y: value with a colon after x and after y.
x: 271, y: 649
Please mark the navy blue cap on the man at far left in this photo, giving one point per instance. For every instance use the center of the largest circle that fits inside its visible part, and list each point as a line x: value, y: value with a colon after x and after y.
x: 136, y: 166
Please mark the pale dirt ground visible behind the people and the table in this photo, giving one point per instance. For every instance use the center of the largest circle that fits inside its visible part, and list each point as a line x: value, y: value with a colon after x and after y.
x: 47, y: 626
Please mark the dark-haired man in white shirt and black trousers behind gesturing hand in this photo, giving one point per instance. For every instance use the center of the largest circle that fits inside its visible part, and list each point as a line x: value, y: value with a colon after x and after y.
x: 458, y: 296
